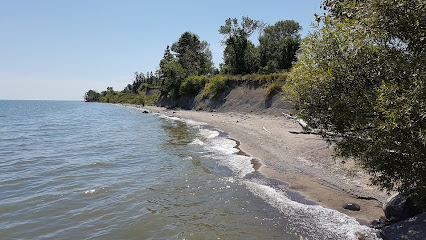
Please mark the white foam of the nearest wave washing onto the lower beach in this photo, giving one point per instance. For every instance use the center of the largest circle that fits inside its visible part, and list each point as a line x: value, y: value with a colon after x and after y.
x: 313, y: 220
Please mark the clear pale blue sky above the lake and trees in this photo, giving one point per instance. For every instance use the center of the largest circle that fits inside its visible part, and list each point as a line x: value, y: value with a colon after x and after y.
x: 59, y: 49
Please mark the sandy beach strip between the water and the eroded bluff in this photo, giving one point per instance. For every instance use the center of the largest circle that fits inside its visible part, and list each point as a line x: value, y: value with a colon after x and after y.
x: 281, y: 150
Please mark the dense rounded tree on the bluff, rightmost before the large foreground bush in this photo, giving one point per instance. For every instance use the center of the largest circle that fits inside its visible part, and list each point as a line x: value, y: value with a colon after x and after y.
x: 278, y: 46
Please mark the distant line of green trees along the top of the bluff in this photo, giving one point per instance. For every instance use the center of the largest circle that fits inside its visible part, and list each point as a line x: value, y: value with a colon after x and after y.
x: 187, y: 66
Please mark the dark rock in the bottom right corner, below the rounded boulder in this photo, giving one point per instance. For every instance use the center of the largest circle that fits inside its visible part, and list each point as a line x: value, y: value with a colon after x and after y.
x: 410, y: 229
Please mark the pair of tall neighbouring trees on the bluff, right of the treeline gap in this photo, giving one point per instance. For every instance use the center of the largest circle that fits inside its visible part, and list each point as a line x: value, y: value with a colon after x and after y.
x: 276, y: 52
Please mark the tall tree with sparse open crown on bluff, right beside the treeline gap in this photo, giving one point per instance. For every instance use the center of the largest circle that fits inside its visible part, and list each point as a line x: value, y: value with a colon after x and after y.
x: 237, y: 43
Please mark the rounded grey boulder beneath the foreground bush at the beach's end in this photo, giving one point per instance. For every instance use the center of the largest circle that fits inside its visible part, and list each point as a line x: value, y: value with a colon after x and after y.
x: 398, y: 208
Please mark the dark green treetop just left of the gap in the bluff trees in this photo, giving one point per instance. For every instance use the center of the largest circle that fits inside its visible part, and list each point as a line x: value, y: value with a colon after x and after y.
x: 193, y: 55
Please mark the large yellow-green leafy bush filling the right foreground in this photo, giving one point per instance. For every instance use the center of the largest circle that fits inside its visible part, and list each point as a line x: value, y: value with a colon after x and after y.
x: 360, y: 79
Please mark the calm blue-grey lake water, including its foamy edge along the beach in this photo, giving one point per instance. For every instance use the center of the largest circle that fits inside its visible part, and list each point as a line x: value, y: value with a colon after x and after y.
x: 74, y: 170
